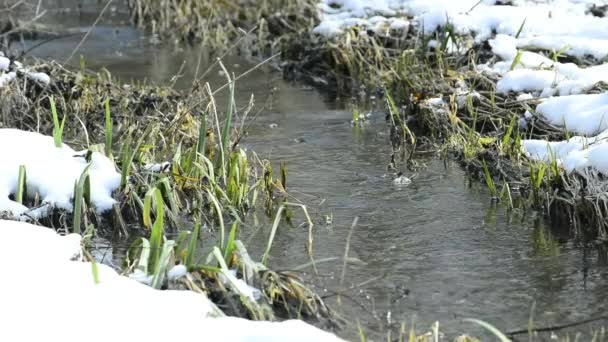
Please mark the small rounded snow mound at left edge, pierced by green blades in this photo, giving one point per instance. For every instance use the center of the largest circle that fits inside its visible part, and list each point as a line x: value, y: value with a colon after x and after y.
x: 51, y: 172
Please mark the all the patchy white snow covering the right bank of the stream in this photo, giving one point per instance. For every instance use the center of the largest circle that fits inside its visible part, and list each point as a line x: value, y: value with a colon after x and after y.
x: 515, y: 32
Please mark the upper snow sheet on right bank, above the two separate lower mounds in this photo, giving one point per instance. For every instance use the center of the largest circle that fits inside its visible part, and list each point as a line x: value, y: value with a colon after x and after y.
x: 562, y: 26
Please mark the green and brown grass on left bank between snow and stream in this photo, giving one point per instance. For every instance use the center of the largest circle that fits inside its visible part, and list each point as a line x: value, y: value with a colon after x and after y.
x: 183, y: 175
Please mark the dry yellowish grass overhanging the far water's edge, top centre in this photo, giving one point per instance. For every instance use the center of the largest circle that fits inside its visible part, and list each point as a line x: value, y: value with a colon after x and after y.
x: 262, y: 26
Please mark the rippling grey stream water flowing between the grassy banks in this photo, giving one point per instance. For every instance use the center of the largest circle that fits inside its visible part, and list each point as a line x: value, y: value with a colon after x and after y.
x: 436, y: 249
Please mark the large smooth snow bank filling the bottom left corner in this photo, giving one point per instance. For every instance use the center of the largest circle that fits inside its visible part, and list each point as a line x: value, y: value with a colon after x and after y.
x: 47, y: 295
